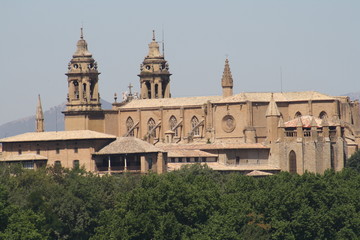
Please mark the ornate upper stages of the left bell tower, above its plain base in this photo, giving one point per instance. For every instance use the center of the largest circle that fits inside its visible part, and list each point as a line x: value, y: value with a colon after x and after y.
x: 83, y: 76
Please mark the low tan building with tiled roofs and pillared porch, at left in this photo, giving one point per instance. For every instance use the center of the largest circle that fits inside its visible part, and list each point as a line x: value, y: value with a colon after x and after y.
x: 94, y: 151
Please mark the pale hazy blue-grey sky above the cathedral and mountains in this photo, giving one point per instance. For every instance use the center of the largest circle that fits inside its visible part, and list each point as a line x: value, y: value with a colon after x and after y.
x: 316, y: 43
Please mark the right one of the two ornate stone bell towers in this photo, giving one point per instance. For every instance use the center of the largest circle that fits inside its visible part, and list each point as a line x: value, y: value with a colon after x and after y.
x: 154, y: 74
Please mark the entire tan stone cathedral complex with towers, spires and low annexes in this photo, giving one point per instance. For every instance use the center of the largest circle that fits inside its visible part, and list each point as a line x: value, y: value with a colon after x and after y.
x: 254, y: 133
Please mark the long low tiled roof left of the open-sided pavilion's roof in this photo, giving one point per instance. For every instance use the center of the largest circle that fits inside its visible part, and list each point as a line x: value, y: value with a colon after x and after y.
x: 57, y: 136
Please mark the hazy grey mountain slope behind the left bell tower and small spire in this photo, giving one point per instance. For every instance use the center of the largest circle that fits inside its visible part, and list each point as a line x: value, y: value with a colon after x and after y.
x: 54, y: 121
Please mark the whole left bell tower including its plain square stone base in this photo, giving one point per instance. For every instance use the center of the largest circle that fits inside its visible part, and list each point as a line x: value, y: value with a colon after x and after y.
x: 83, y: 108
